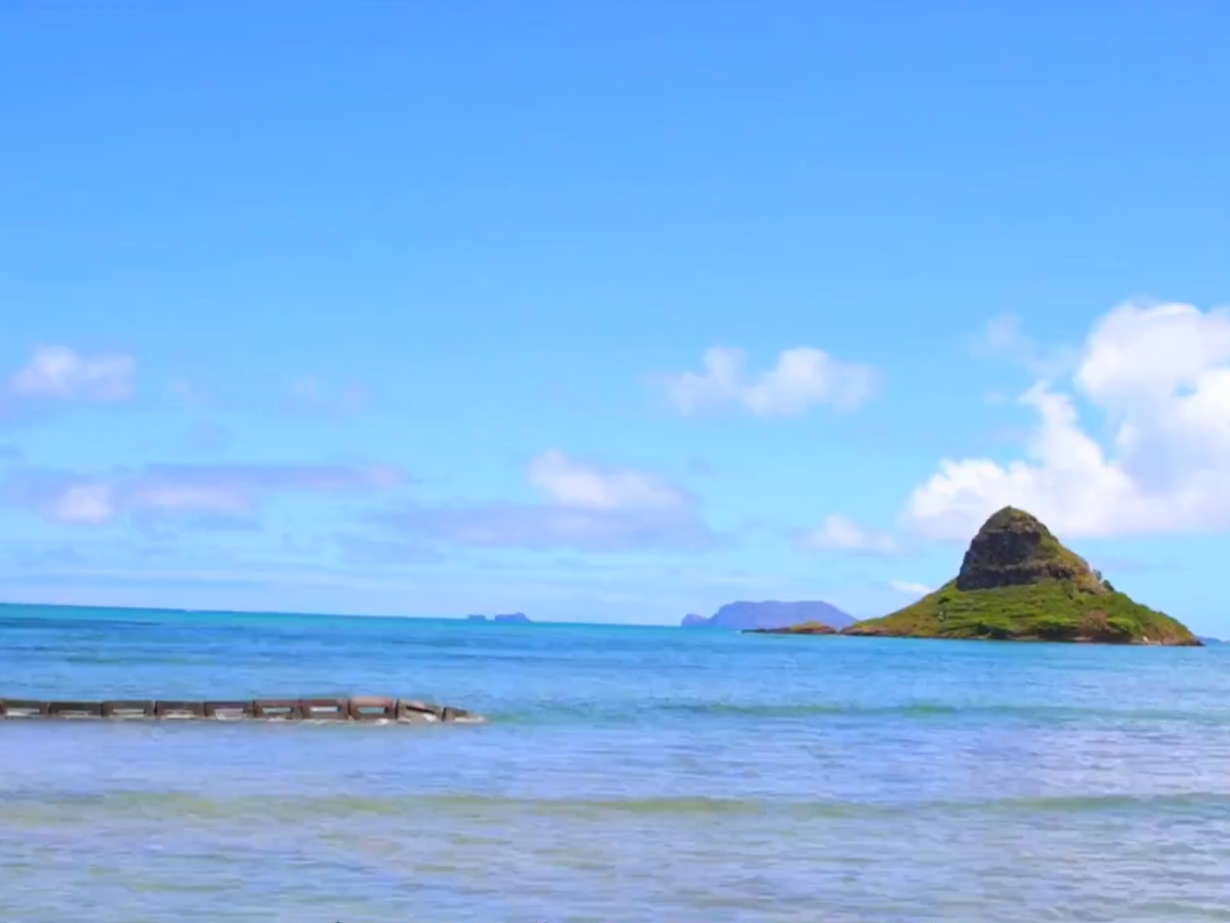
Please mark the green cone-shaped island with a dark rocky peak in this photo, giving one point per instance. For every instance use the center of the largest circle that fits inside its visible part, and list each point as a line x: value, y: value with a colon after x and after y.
x: 1019, y: 584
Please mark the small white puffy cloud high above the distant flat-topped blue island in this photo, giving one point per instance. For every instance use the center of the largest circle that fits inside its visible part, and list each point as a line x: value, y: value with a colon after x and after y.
x: 804, y: 377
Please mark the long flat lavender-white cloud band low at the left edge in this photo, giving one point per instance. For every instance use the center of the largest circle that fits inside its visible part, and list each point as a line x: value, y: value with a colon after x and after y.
x: 165, y: 493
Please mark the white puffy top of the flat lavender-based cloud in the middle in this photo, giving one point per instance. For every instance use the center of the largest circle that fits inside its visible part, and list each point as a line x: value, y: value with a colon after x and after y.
x: 574, y: 484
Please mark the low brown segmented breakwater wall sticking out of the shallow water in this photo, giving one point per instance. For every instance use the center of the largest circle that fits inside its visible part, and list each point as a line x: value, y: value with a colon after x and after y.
x: 360, y: 708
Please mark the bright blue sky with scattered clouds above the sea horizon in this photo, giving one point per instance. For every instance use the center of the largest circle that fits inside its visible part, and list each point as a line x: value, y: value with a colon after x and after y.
x: 608, y: 312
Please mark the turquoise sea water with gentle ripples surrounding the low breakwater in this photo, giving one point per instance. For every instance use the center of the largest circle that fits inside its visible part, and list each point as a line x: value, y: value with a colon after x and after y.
x: 628, y: 776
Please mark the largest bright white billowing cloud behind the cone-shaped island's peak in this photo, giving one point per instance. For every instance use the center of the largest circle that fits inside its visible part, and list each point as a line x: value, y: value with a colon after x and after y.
x: 1161, y: 378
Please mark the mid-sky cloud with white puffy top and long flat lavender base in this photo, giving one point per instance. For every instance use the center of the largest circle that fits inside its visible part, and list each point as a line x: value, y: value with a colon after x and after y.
x: 585, y: 506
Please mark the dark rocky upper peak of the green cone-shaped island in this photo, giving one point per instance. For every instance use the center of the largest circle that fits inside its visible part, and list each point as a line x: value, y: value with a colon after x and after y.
x: 1015, y: 549
